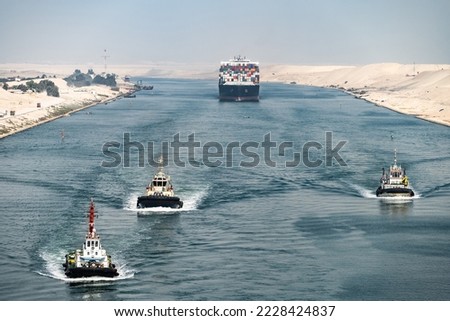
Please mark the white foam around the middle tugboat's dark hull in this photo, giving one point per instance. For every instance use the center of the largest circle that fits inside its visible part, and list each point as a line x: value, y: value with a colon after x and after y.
x: 191, y: 201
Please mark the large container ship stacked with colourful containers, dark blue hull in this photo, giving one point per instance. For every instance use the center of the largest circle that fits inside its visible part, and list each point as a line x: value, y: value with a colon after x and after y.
x: 239, y: 80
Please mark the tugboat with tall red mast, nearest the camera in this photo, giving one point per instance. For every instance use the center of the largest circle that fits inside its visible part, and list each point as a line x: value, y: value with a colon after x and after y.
x: 92, y: 260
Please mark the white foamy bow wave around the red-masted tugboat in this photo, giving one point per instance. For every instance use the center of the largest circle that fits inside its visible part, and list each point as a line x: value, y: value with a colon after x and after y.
x: 53, y: 268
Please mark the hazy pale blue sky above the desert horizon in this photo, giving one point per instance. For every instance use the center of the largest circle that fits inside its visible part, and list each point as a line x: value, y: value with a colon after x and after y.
x: 208, y: 31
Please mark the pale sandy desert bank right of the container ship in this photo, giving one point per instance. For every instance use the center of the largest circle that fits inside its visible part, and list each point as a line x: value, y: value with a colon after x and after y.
x: 419, y: 90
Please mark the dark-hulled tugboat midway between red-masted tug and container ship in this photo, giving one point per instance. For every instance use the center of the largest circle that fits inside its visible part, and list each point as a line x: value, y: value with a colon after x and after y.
x: 160, y: 193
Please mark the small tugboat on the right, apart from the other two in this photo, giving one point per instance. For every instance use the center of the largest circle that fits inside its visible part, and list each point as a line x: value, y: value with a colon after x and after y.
x: 394, y: 183
